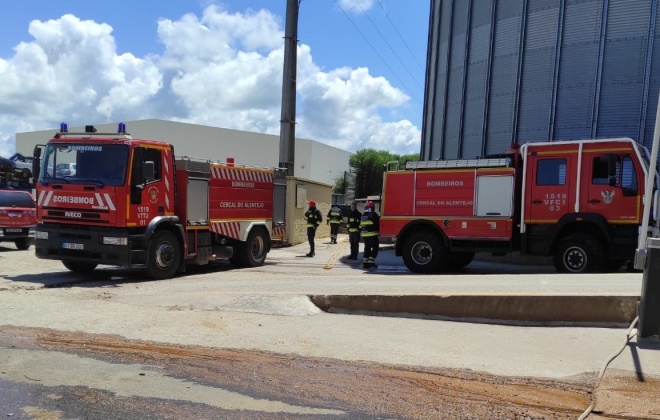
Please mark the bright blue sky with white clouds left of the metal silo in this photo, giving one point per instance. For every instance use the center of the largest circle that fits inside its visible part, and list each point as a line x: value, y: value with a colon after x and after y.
x: 360, y: 66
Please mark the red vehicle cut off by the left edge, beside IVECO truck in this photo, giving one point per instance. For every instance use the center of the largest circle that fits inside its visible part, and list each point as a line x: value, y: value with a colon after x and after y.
x: 18, y: 217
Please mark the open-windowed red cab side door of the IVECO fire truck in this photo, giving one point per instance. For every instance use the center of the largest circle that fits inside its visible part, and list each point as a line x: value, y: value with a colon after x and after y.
x: 151, y: 186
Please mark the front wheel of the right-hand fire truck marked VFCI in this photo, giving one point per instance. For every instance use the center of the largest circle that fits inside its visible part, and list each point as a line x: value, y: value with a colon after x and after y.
x: 579, y: 253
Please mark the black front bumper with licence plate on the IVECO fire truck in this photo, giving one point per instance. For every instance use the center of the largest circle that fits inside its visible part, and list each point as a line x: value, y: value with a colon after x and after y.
x: 84, y: 244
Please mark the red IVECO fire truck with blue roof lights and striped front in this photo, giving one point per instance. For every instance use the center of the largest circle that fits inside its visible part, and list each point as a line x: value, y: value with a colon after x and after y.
x: 132, y: 203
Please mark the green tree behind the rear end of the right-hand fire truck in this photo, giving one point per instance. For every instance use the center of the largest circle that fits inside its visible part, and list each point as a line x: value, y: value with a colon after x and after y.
x: 368, y: 165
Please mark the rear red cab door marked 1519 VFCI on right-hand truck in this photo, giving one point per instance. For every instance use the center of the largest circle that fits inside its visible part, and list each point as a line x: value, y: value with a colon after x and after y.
x: 549, y: 186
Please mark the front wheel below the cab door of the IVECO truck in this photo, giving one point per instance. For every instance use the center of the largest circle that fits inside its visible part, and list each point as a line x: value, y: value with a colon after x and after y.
x: 164, y: 255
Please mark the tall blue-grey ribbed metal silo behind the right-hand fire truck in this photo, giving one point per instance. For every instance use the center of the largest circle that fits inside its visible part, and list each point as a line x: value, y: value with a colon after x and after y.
x: 504, y: 71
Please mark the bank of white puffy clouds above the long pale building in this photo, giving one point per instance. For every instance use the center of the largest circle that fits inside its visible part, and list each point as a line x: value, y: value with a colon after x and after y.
x: 221, y: 69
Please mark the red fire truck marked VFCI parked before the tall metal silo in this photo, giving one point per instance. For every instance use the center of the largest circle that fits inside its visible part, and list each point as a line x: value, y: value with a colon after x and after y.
x: 578, y: 201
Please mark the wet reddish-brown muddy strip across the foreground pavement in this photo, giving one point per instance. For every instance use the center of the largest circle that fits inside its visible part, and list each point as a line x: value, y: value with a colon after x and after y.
x: 363, y: 390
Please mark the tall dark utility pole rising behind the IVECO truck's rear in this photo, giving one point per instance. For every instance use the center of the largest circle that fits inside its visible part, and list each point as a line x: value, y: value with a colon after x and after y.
x: 288, y: 119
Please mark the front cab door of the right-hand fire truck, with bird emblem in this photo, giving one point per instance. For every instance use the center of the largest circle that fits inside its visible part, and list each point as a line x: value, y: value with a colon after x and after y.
x: 612, y: 188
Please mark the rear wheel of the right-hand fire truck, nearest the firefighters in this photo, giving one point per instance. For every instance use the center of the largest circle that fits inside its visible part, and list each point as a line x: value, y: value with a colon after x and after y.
x: 423, y: 252
